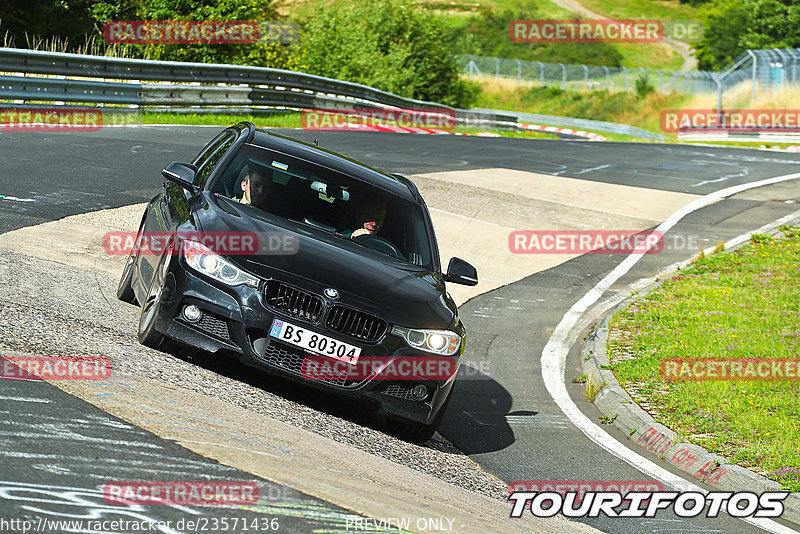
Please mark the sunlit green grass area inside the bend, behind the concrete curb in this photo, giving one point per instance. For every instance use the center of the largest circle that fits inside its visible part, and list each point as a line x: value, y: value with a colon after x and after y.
x: 739, y: 304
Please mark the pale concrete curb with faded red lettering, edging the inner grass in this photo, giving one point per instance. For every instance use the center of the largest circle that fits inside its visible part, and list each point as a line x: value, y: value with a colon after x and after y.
x: 614, y: 402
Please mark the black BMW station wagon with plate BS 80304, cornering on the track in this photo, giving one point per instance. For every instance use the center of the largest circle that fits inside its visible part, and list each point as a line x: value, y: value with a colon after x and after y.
x: 343, y: 268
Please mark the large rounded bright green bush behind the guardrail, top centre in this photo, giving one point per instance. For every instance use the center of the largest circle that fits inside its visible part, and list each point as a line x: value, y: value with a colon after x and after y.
x: 388, y: 44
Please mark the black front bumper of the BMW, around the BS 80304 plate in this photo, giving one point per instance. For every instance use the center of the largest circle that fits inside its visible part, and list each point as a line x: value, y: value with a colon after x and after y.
x: 236, y: 321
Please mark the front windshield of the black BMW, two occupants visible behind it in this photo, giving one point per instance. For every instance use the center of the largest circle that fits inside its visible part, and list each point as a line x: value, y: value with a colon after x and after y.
x: 329, y: 201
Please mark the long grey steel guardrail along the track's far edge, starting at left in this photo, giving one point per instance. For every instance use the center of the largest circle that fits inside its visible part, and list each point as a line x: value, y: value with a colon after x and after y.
x: 202, y: 84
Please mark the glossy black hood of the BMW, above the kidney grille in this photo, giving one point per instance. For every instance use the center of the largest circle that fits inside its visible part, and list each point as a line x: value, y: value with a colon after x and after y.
x: 369, y: 280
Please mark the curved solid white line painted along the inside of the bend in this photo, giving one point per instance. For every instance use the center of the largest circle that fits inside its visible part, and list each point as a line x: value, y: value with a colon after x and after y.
x: 555, y: 352
